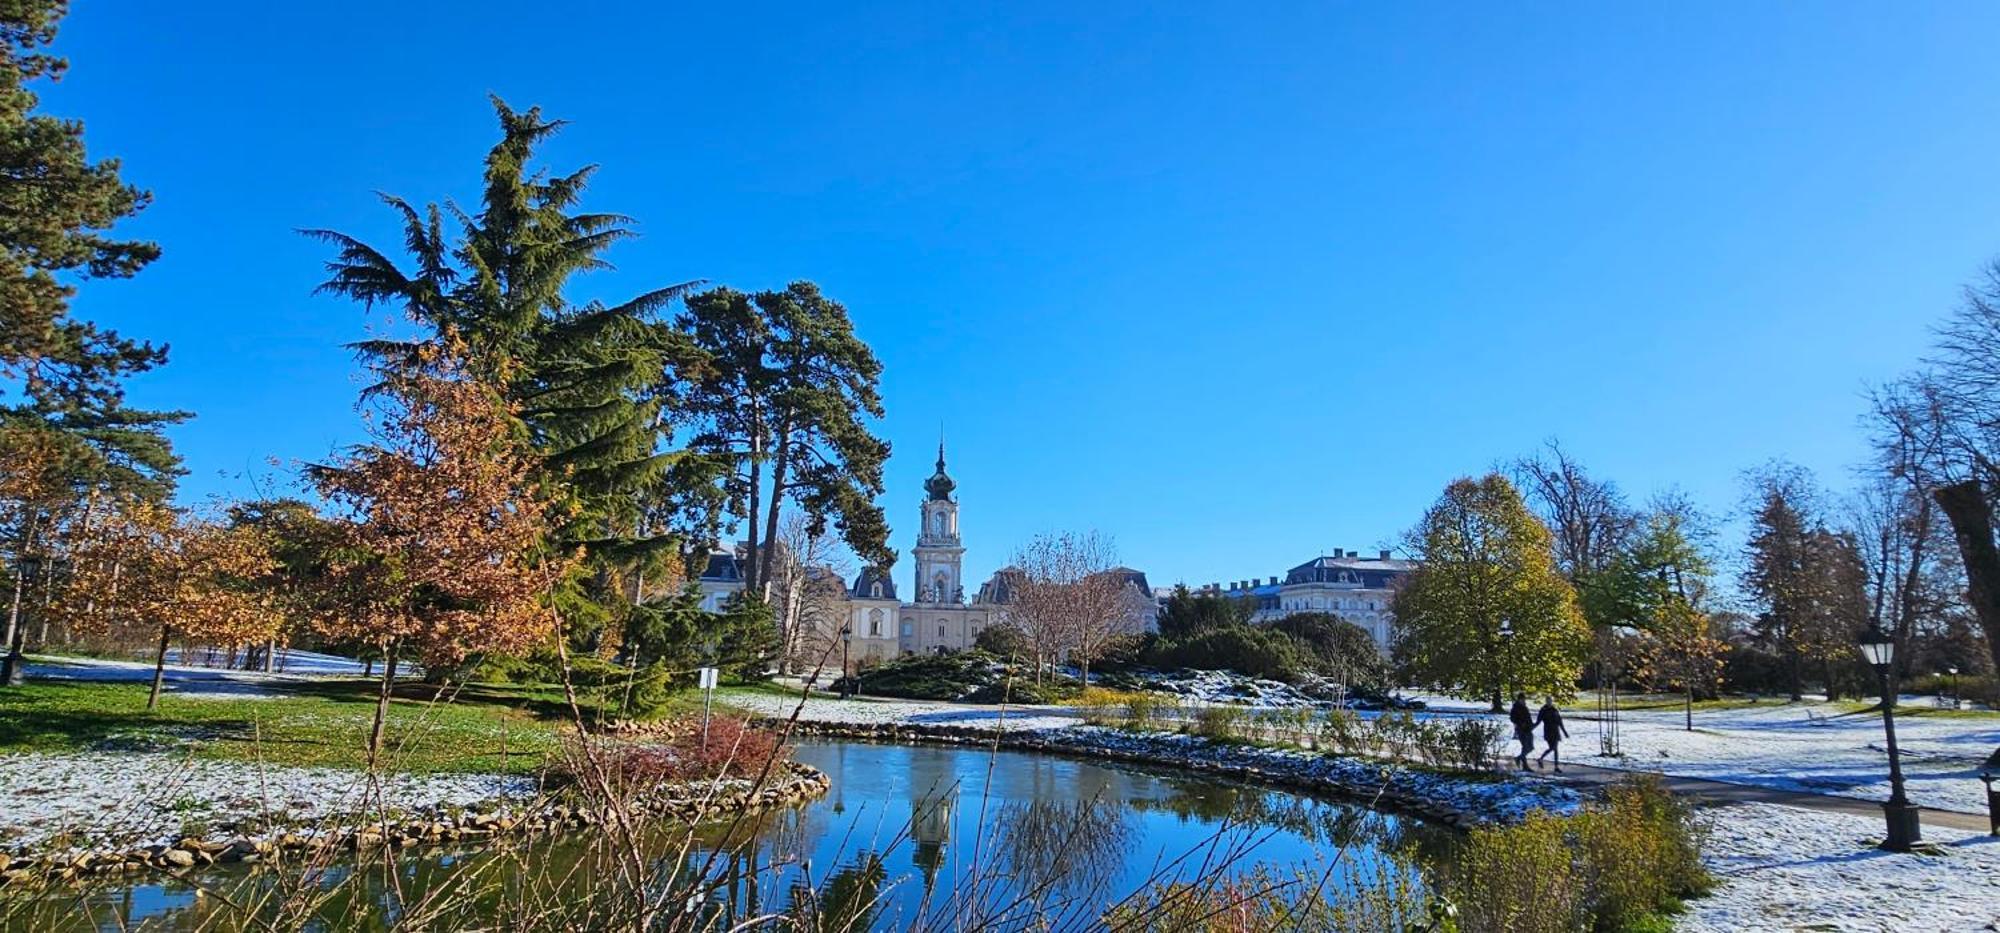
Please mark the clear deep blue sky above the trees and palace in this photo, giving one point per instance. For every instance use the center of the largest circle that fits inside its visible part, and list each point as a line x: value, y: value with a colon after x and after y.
x: 1233, y: 287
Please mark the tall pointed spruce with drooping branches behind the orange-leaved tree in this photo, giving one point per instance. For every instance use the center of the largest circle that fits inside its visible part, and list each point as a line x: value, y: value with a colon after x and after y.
x: 591, y: 383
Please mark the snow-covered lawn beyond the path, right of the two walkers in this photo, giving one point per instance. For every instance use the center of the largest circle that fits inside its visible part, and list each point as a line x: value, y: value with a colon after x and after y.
x: 1827, y: 752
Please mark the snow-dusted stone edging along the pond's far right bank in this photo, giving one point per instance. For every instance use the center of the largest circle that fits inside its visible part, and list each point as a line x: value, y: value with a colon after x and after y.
x: 1189, y: 754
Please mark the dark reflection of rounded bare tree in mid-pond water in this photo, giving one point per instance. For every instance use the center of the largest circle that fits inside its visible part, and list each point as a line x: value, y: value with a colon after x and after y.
x: 1065, y: 846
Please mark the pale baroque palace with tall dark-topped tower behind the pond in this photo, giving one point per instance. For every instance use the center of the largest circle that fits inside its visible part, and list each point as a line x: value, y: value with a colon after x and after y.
x: 939, y: 618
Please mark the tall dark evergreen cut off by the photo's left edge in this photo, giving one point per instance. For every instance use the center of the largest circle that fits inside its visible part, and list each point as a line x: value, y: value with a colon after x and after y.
x: 67, y: 435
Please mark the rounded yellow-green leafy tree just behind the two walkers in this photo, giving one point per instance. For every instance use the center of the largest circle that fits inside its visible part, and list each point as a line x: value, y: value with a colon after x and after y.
x: 1487, y: 560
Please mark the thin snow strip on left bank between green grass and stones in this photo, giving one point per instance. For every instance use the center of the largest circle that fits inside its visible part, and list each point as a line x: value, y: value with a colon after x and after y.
x: 101, y: 800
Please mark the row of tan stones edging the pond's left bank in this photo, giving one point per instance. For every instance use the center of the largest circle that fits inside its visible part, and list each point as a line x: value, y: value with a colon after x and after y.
x: 683, y: 804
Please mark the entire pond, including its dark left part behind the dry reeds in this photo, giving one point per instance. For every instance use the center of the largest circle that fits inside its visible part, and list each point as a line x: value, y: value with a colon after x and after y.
x: 909, y: 838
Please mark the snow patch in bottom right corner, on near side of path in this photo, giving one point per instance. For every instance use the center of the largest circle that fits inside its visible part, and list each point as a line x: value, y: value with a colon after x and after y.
x: 1791, y: 870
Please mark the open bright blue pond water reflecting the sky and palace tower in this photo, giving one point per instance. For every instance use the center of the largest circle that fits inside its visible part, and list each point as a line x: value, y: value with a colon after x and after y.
x: 1059, y: 830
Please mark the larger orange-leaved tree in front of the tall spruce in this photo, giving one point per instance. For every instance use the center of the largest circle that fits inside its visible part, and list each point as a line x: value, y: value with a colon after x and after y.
x: 443, y: 534
